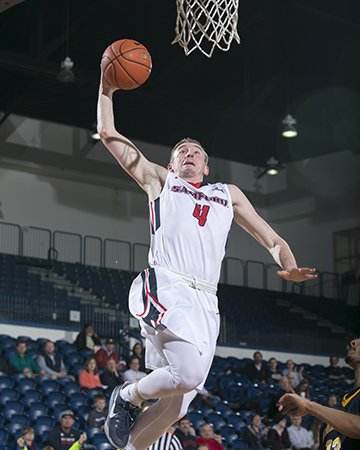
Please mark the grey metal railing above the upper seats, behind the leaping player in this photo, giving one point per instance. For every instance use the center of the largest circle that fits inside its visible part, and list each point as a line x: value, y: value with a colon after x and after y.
x: 119, y: 254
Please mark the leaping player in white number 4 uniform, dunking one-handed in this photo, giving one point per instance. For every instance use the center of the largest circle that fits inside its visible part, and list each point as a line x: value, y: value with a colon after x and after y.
x: 175, y: 299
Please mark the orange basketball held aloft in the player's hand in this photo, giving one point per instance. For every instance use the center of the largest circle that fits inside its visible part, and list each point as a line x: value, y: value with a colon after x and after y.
x: 126, y: 64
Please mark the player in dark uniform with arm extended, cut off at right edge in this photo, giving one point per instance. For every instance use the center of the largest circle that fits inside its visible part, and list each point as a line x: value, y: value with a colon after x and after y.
x: 341, y: 428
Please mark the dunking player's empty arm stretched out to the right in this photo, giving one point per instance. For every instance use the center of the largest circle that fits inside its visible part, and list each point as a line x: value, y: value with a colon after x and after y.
x: 246, y: 216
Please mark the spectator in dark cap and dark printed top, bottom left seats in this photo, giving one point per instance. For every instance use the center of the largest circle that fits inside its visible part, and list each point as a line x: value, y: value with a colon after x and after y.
x: 64, y: 436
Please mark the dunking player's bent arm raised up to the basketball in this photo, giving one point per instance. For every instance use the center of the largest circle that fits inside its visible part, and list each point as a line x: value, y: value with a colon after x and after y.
x: 148, y: 175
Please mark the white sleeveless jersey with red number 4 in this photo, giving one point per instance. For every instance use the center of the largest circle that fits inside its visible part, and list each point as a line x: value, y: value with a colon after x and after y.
x: 189, y: 228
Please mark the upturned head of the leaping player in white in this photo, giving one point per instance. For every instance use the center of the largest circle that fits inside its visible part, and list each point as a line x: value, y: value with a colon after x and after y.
x: 189, y: 161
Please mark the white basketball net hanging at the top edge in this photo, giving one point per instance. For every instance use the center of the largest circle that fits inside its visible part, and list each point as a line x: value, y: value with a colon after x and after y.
x: 206, y: 24
